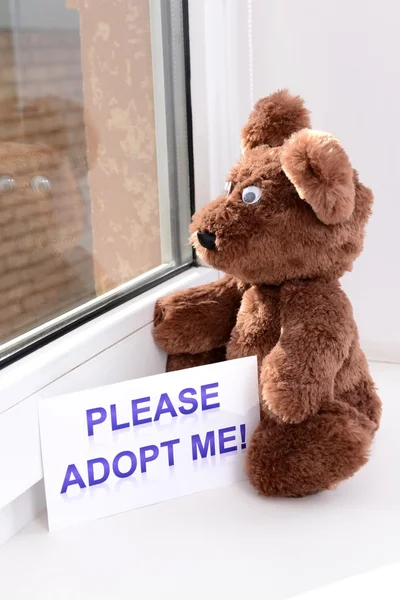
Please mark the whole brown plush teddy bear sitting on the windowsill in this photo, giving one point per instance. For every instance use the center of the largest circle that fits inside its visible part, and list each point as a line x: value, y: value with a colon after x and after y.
x: 290, y: 224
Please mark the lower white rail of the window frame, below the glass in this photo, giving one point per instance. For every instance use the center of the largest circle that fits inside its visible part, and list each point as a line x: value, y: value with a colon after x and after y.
x: 26, y: 381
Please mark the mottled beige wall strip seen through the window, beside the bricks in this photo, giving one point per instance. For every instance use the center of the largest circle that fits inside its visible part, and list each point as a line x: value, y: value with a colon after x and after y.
x: 118, y: 92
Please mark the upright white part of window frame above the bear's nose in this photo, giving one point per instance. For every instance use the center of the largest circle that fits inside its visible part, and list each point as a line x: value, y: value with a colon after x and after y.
x: 221, y: 89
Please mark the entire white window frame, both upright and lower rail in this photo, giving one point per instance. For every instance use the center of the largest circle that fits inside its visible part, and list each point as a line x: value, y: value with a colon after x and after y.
x: 221, y: 100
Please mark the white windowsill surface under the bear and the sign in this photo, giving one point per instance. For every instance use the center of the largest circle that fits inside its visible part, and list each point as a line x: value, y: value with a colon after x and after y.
x: 227, y: 542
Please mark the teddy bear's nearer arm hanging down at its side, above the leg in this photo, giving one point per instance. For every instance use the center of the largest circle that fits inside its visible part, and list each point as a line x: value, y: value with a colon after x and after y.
x: 317, y: 330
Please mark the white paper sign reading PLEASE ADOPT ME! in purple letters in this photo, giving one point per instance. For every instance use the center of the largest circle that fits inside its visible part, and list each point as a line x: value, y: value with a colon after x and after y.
x: 134, y: 443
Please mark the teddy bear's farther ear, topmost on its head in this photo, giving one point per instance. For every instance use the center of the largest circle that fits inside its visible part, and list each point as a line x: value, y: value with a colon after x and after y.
x: 274, y: 119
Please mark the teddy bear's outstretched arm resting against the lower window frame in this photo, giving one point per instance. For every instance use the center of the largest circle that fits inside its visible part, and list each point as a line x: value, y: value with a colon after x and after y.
x: 199, y: 319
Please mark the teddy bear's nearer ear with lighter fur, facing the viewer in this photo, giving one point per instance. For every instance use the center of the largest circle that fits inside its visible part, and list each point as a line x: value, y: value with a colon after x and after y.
x: 321, y: 172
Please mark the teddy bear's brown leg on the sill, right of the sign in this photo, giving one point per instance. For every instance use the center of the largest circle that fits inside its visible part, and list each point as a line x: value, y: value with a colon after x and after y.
x: 315, y: 455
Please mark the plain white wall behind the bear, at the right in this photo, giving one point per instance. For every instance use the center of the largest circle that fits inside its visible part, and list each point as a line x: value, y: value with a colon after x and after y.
x: 343, y: 57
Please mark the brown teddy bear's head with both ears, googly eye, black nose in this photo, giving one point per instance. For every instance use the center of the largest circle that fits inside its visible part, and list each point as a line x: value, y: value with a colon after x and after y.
x: 293, y: 206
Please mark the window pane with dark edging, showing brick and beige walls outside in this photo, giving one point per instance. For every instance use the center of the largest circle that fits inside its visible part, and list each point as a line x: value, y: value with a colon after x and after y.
x: 94, y: 160
